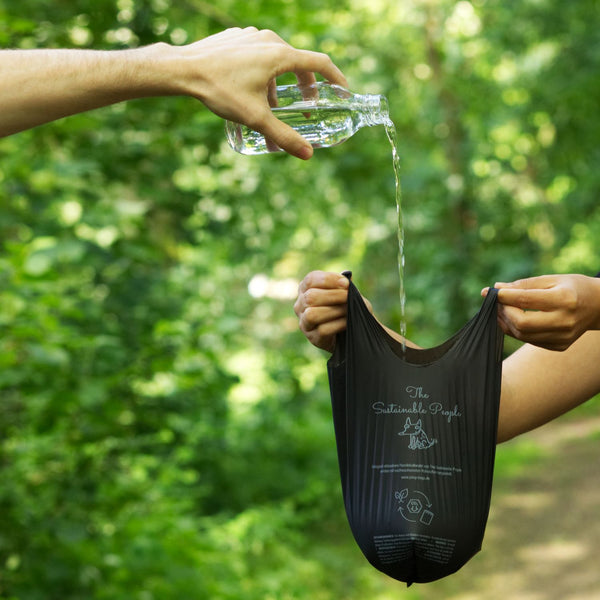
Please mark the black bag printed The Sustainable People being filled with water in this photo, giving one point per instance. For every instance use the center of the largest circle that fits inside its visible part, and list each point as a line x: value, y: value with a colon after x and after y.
x: 416, y: 439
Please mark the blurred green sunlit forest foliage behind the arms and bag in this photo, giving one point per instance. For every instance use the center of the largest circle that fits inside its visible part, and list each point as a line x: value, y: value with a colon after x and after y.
x: 165, y: 429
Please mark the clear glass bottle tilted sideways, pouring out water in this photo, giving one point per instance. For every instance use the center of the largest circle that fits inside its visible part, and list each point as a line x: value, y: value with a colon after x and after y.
x: 324, y: 114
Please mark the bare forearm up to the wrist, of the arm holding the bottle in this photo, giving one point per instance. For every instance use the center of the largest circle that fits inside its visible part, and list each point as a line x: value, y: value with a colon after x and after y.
x: 39, y: 86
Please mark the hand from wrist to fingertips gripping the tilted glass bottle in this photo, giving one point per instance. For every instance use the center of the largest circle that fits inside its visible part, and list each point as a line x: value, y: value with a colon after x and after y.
x: 233, y: 73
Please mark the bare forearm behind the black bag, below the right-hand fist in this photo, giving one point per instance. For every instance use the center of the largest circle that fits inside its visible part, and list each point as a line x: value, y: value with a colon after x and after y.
x: 539, y: 385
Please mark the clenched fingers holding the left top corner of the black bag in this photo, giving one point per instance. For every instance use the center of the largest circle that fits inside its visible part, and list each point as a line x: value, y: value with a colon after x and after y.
x: 321, y: 307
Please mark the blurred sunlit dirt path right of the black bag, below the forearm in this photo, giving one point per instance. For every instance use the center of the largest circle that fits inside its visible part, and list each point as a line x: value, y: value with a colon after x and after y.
x: 543, y: 536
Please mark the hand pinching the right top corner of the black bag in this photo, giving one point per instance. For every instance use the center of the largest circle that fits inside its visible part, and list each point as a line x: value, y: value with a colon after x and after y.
x: 550, y: 311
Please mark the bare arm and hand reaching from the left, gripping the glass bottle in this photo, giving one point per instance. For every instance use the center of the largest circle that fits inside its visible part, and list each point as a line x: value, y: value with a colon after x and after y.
x: 233, y: 73
